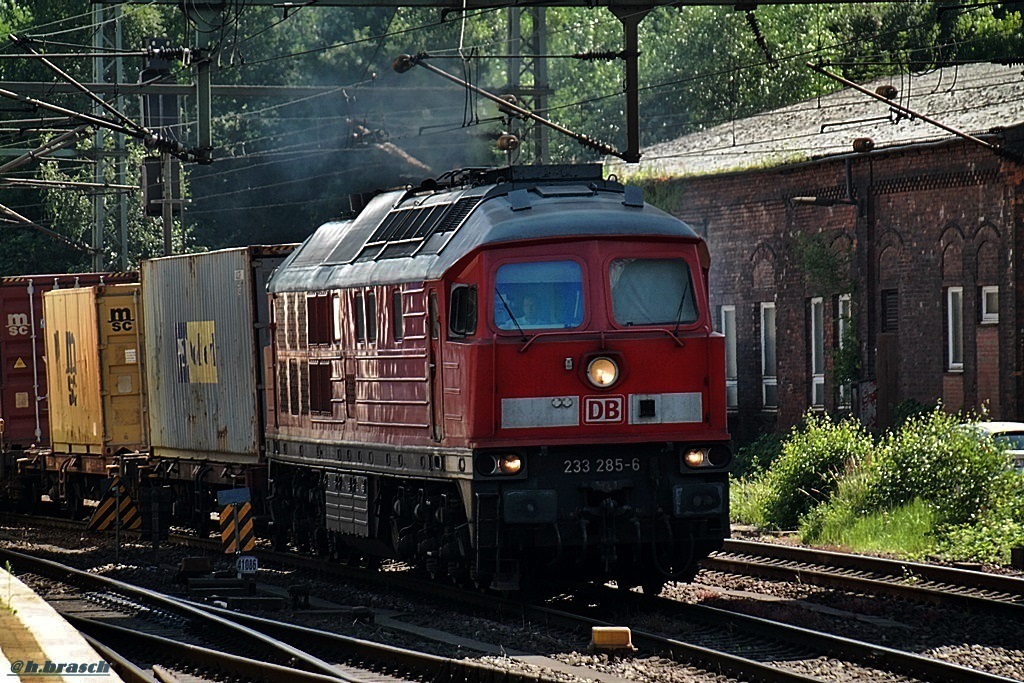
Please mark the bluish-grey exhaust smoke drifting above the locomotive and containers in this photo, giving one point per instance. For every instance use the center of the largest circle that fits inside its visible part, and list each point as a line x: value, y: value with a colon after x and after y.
x: 311, y: 156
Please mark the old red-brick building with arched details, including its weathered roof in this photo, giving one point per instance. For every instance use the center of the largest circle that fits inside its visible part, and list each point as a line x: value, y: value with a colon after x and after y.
x: 861, y: 282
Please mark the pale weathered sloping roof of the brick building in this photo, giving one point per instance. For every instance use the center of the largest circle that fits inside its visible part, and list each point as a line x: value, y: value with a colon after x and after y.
x: 974, y: 99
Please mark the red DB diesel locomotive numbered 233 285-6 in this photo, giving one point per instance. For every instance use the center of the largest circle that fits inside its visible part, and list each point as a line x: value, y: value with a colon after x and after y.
x: 501, y: 376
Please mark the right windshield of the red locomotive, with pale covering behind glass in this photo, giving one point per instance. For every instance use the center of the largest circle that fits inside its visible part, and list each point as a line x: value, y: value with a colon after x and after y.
x: 653, y: 291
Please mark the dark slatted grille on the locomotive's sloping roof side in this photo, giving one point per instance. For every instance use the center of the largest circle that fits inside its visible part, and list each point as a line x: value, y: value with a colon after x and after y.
x: 407, y: 232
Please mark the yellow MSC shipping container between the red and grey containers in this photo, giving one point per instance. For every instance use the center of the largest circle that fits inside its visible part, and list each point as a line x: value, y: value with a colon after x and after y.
x: 95, y: 370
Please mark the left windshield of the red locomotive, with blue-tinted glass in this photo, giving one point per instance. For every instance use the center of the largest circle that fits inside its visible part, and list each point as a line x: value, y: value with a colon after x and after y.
x: 539, y: 295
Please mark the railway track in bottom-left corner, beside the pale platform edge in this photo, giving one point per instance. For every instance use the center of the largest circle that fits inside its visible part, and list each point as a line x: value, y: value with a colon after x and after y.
x: 155, y: 628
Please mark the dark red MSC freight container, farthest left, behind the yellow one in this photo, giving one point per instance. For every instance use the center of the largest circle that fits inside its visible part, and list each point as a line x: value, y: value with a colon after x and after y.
x: 23, y: 372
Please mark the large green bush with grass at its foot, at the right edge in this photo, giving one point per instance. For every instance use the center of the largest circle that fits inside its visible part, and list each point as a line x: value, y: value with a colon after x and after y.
x: 934, y: 486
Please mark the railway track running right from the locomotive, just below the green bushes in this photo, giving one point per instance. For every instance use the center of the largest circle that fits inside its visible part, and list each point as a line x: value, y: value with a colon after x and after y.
x: 976, y: 591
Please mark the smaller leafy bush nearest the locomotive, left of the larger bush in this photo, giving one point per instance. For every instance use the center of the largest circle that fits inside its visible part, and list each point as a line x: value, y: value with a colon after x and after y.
x: 815, y: 458
